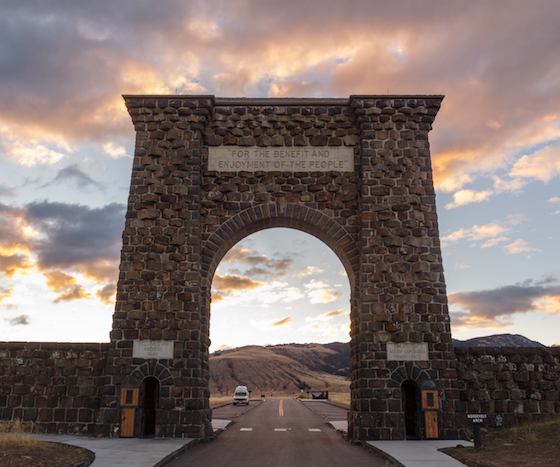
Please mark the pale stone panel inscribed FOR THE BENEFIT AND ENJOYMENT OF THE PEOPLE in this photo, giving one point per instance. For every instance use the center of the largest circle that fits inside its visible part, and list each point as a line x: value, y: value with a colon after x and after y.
x: 281, y: 158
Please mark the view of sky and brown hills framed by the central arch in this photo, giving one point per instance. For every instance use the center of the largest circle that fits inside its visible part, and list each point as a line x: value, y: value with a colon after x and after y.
x: 278, y: 295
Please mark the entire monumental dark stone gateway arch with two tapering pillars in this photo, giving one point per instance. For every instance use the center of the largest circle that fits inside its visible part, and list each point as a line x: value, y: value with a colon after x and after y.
x: 376, y: 210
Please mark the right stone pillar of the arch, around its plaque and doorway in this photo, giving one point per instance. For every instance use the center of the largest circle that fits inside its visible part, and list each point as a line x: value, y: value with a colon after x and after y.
x: 402, y: 287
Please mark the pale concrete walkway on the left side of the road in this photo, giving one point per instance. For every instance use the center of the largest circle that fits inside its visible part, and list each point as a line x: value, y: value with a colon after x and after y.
x: 125, y: 452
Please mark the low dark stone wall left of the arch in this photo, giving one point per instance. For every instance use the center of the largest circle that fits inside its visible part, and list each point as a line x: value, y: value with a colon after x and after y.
x: 55, y: 385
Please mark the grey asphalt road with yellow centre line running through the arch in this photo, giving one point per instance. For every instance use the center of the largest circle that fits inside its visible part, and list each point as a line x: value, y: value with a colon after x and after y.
x: 278, y: 433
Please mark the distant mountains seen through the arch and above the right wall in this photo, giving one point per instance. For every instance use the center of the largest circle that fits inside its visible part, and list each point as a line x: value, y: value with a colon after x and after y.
x: 290, y: 368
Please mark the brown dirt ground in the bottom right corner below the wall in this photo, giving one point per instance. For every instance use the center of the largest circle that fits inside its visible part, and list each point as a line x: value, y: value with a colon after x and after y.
x: 535, y: 444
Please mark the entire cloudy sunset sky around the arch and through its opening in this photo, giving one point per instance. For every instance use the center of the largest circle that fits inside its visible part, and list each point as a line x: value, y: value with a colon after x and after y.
x: 66, y: 145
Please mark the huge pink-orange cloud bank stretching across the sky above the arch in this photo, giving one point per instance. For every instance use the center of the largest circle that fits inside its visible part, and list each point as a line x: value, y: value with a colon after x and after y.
x: 298, y: 49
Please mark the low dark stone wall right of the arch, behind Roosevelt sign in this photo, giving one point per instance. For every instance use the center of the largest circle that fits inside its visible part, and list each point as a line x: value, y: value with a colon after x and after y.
x: 512, y: 385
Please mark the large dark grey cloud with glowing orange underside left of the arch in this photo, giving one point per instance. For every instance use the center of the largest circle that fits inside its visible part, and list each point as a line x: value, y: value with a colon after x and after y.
x: 60, y: 240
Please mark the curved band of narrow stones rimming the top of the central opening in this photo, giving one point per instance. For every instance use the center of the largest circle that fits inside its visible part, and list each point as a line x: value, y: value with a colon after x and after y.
x: 271, y: 215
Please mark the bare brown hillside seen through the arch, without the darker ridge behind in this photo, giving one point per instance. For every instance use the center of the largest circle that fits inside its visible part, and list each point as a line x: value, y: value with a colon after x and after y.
x: 275, y: 369
